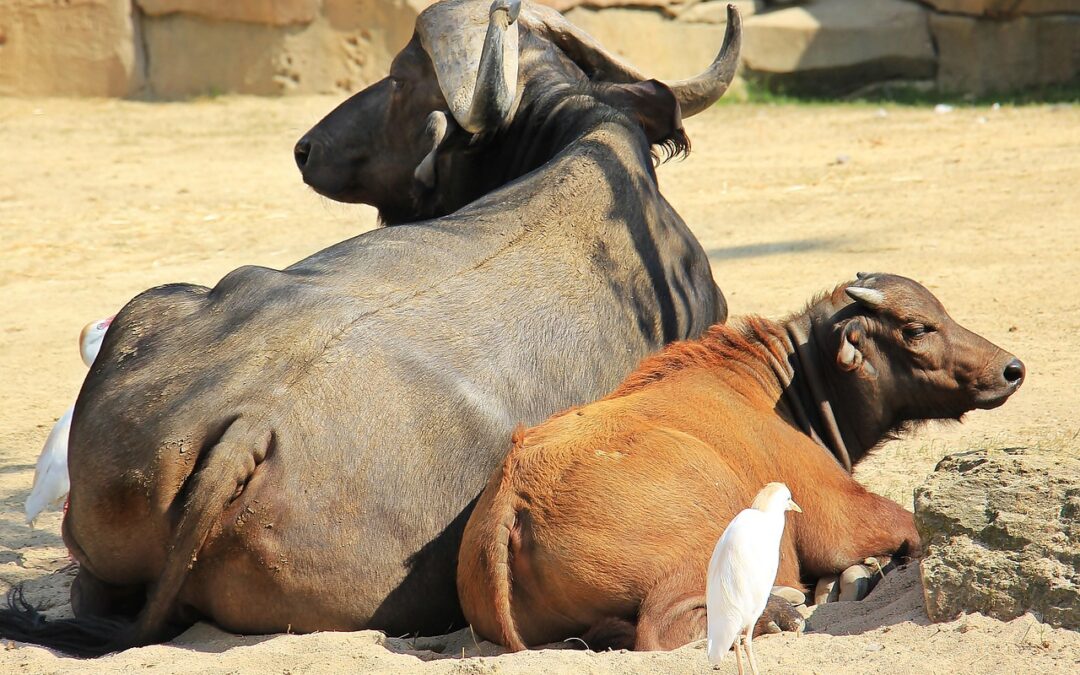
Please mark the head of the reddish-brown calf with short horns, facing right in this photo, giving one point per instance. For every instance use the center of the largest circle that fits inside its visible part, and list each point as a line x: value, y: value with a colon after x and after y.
x: 897, y: 348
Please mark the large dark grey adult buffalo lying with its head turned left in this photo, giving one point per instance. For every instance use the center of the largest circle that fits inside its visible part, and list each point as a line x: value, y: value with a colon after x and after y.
x: 300, y: 449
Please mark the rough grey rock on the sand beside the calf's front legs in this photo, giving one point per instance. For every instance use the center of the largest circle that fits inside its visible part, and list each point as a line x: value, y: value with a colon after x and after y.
x: 1003, y: 535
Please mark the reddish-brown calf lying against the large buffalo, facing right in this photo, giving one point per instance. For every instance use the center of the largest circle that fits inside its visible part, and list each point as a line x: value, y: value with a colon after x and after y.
x: 611, y: 511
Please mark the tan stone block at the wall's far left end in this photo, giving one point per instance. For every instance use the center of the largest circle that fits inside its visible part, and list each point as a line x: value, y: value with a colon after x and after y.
x: 70, y: 48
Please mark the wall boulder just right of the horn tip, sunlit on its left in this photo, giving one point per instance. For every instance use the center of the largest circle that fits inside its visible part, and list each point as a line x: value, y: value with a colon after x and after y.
x: 829, y: 48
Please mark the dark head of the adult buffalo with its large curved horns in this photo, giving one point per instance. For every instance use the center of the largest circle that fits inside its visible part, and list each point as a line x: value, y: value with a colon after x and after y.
x: 469, y: 70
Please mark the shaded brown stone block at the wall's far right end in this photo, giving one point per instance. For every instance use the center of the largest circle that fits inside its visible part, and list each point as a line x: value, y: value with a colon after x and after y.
x: 982, y: 57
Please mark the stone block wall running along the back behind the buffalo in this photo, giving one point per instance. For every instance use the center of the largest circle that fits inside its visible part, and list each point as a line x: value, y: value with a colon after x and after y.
x: 186, y: 48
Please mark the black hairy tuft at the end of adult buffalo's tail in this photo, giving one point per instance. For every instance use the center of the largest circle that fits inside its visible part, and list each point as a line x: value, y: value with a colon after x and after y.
x: 87, y: 638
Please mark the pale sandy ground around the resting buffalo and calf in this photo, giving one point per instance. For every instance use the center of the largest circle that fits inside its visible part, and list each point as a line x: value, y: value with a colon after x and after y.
x: 101, y: 200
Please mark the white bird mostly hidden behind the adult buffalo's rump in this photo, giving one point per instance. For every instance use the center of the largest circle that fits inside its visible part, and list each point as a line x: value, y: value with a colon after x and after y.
x: 50, y: 477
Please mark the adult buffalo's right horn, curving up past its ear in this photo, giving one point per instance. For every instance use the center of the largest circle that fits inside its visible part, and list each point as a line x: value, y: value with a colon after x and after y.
x: 694, y: 96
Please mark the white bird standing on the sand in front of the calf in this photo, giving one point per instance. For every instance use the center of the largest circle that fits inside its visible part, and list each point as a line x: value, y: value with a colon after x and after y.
x: 742, y: 573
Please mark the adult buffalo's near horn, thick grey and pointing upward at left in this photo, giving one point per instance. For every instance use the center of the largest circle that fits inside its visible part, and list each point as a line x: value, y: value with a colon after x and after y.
x: 477, y: 72
